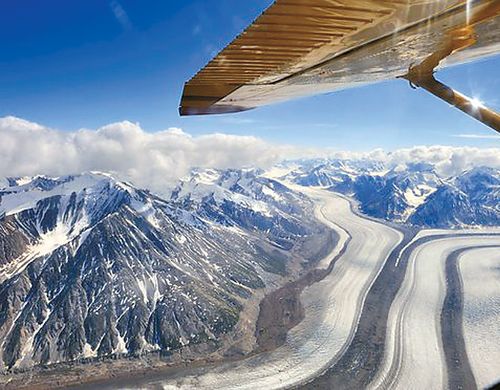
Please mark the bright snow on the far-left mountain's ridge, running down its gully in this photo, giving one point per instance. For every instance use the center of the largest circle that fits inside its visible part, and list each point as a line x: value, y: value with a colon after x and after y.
x: 72, y: 222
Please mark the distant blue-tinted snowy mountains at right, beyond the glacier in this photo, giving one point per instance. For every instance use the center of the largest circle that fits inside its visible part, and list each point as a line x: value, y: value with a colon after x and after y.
x: 412, y: 193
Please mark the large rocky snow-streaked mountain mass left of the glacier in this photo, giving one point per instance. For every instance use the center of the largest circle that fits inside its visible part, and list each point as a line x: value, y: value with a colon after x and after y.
x: 90, y: 266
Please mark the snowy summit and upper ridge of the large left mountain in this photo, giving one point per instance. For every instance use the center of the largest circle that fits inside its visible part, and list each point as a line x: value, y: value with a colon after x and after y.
x: 49, y: 213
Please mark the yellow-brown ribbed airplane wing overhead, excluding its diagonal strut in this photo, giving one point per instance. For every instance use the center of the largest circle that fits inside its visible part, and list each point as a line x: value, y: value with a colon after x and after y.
x: 299, y: 48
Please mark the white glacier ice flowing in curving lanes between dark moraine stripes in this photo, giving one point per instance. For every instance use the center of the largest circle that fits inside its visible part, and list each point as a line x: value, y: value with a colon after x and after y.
x: 413, y: 349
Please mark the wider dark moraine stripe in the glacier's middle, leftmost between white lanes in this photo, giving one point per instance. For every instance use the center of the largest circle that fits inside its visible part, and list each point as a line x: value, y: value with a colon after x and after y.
x: 363, y: 357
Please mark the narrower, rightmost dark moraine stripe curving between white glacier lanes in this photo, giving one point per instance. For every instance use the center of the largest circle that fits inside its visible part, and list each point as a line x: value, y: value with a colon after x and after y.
x: 460, y: 375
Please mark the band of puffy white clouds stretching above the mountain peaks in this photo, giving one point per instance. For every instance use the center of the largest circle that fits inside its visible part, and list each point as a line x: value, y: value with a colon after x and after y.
x: 158, y: 160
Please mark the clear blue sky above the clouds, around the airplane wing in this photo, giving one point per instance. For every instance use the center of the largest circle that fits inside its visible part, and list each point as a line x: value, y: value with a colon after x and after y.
x: 84, y: 64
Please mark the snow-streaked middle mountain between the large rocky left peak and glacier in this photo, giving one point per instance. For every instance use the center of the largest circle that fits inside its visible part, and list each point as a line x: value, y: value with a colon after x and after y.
x: 246, y: 199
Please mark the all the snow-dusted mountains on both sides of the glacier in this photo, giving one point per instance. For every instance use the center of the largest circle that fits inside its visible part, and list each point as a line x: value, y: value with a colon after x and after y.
x: 91, y: 266
